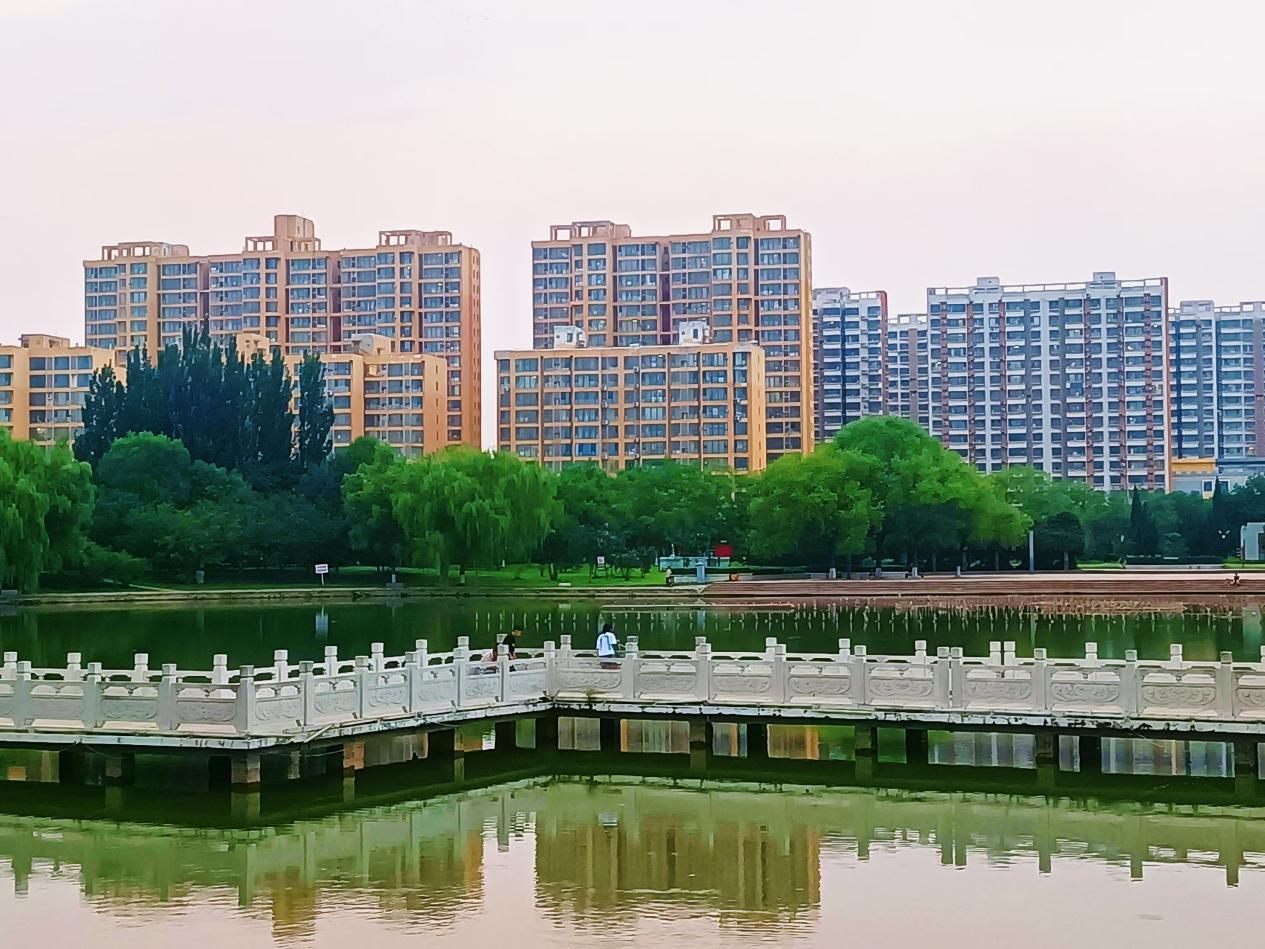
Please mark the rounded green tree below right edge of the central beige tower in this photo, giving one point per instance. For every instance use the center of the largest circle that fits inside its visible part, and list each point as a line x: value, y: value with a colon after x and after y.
x: 813, y: 507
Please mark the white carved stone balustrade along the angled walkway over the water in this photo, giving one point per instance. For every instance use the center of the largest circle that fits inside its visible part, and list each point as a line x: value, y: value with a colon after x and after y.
x: 294, y: 699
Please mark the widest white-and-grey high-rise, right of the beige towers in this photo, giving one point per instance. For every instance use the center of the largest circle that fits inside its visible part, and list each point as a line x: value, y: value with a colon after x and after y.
x: 1071, y: 379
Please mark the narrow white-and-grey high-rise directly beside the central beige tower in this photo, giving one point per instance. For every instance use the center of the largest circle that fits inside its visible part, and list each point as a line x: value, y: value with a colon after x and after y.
x: 849, y: 360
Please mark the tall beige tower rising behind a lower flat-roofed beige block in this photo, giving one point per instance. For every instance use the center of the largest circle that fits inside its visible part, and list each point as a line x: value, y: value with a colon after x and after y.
x: 748, y: 279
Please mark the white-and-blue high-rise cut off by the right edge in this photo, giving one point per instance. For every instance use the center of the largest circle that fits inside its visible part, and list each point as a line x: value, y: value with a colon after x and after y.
x: 1218, y: 365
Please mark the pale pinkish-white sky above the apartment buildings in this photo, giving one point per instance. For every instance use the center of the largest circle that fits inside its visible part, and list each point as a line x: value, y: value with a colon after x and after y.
x: 922, y: 142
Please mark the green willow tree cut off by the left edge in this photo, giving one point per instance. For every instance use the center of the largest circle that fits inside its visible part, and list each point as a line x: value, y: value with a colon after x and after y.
x: 46, y: 502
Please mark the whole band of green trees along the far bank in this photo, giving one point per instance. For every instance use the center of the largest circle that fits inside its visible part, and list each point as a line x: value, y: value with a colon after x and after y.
x: 152, y: 506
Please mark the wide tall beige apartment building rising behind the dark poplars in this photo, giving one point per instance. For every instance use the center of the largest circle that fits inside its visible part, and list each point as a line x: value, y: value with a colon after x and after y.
x: 417, y: 289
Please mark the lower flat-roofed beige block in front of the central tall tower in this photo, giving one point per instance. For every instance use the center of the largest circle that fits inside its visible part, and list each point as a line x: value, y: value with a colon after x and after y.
x: 619, y: 407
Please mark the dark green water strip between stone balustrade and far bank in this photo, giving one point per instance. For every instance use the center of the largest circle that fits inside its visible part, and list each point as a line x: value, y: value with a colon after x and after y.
x: 250, y: 635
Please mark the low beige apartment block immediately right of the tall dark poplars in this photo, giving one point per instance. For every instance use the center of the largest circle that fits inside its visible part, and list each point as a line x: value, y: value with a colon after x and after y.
x: 395, y: 398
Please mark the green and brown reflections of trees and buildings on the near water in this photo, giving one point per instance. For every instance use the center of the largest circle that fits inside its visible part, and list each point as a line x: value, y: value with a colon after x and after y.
x: 609, y: 847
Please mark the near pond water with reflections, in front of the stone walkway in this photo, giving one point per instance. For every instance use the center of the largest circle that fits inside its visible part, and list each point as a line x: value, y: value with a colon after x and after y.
x: 627, y: 862
